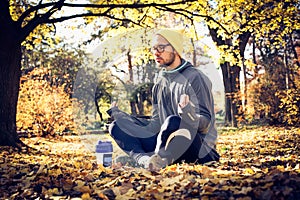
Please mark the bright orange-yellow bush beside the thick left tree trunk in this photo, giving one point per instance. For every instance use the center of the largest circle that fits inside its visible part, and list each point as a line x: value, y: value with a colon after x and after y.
x: 44, y: 107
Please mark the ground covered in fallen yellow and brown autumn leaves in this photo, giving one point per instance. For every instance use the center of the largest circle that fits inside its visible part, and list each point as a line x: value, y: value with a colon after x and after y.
x: 256, y: 163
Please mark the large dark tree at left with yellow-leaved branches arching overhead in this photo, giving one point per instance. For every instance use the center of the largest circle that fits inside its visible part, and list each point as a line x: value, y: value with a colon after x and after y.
x: 21, y: 20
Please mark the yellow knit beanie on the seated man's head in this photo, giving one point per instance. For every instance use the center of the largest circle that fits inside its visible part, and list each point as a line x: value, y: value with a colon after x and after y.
x: 174, y: 37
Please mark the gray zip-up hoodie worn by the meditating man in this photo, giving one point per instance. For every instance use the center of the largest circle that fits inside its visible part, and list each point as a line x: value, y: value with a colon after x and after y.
x: 199, y: 113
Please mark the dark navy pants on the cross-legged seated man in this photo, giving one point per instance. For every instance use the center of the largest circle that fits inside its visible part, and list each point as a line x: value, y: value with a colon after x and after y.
x: 132, y: 137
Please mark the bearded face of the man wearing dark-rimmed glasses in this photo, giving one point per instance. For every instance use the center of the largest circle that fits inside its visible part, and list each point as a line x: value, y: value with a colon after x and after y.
x: 163, y: 51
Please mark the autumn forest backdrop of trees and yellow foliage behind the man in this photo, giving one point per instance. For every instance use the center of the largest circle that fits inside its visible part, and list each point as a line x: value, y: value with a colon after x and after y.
x: 49, y: 88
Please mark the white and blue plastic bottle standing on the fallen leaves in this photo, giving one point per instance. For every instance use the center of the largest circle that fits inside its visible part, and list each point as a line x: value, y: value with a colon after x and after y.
x: 104, y: 152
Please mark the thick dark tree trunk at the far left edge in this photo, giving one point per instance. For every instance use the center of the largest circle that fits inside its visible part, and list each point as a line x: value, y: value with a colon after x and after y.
x: 10, y: 66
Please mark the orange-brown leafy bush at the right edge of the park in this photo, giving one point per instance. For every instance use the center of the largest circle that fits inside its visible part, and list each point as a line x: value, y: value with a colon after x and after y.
x: 274, y: 97
